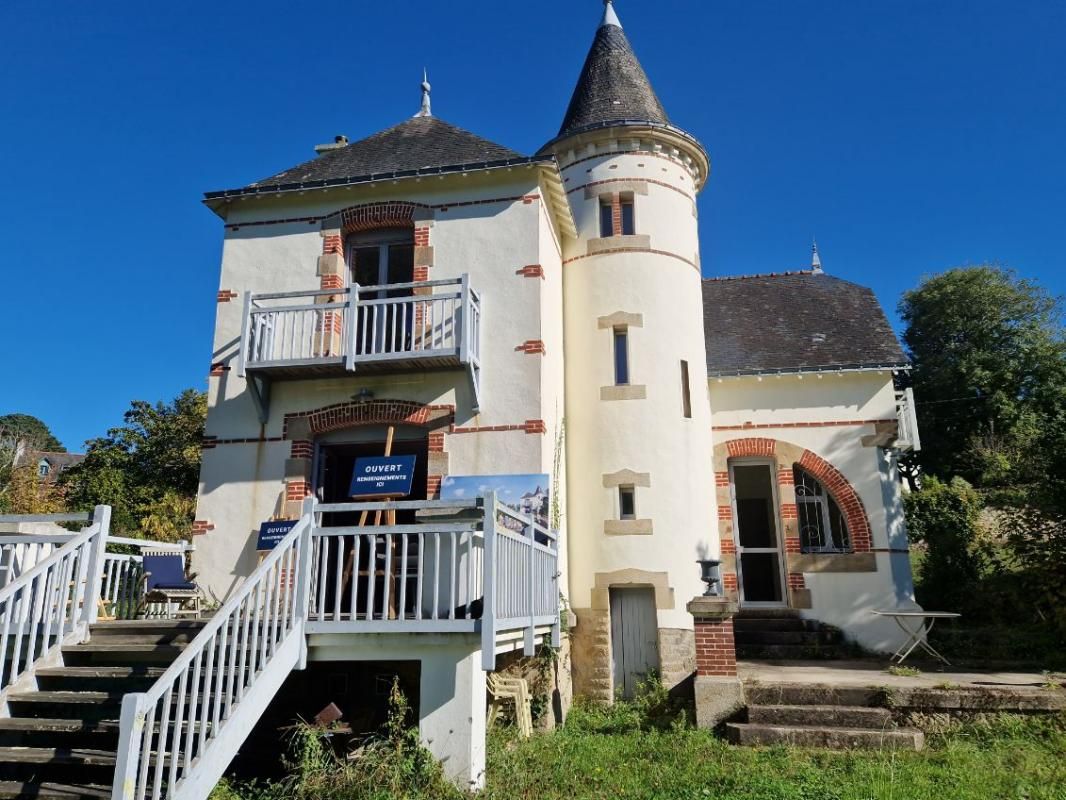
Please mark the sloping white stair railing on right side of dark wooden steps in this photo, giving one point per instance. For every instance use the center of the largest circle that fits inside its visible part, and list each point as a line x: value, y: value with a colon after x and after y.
x: 177, y: 739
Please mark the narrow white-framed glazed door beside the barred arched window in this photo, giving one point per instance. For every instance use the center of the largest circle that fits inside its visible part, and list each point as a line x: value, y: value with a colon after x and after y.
x: 761, y: 568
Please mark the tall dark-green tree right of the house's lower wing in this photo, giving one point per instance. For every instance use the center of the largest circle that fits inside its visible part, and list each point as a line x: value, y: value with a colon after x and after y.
x: 990, y: 376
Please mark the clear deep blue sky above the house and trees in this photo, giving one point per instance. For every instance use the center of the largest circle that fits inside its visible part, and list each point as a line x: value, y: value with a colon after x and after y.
x: 908, y: 136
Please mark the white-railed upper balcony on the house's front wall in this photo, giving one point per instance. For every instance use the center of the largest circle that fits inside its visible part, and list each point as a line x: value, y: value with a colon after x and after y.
x: 427, y: 325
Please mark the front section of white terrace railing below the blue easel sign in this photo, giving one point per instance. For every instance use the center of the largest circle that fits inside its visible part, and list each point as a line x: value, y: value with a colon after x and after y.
x: 416, y: 578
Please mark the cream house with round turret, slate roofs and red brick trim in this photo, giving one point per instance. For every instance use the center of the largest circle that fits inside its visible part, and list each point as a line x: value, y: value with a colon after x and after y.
x: 425, y: 292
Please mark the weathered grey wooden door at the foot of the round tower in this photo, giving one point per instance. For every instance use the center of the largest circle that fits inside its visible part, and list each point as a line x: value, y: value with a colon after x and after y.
x: 635, y: 638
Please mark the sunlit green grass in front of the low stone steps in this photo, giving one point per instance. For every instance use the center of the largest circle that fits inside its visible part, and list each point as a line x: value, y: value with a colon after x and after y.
x: 1006, y: 758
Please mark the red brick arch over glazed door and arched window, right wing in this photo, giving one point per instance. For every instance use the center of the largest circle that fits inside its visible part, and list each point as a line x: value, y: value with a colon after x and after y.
x: 787, y: 455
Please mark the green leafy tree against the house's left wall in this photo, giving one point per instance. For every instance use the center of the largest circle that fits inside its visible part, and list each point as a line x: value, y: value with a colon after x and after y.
x: 147, y: 470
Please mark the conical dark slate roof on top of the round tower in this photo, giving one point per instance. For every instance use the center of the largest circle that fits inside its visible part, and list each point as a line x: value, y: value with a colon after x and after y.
x: 612, y: 88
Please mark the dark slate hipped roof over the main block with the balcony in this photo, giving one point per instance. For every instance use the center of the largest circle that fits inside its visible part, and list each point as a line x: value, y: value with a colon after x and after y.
x: 419, y: 143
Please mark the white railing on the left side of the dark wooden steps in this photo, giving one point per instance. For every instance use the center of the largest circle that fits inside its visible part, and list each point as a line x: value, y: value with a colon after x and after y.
x: 53, y: 603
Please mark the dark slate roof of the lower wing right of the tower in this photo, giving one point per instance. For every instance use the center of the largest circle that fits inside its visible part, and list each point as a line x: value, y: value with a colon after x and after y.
x: 795, y: 322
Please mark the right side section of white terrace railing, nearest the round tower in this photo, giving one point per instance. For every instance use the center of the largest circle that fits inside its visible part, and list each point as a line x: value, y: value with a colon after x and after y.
x: 522, y: 579
